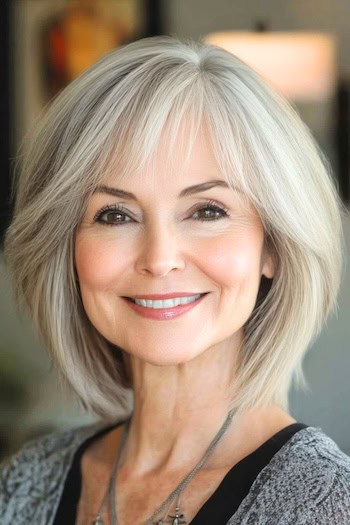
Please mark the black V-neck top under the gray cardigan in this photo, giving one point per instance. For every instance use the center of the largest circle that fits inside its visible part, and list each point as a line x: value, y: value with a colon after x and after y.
x: 221, y: 505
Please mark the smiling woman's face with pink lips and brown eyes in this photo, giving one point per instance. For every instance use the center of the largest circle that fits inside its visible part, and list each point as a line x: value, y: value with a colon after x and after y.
x: 163, y: 241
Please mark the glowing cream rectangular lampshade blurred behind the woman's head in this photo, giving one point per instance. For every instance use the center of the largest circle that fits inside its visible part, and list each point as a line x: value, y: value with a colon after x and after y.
x: 302, y: 66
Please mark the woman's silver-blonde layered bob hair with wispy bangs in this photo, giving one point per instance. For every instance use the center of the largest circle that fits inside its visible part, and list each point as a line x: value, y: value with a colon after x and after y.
x: 111, y: 119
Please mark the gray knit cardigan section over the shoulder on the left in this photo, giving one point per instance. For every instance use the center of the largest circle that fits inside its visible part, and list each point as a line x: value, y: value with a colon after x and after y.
x: 32, y: 480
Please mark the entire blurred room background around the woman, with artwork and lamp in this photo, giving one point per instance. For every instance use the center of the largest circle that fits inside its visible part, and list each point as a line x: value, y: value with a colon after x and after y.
x: 302, y: 47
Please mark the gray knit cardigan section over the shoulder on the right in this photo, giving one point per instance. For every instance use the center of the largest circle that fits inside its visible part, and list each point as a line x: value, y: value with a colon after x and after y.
x: 306, y: 482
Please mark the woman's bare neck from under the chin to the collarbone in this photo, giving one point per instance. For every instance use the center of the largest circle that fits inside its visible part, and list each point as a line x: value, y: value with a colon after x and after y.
x: 177, y: 410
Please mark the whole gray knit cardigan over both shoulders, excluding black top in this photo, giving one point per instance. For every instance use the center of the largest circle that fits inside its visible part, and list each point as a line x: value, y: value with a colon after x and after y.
x: 306, y: 482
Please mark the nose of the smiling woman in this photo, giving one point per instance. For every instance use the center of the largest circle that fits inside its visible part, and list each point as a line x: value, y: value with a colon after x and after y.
x: 161, y: 251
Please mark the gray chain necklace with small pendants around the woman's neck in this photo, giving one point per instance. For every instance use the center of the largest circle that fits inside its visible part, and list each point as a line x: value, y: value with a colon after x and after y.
x: 178, y: 517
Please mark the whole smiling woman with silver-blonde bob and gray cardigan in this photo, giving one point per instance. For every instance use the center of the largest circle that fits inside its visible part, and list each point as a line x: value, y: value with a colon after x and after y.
x: 176, y: 237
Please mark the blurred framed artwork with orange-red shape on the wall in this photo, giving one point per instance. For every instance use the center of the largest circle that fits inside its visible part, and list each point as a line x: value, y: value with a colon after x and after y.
x: 81, y: 31
